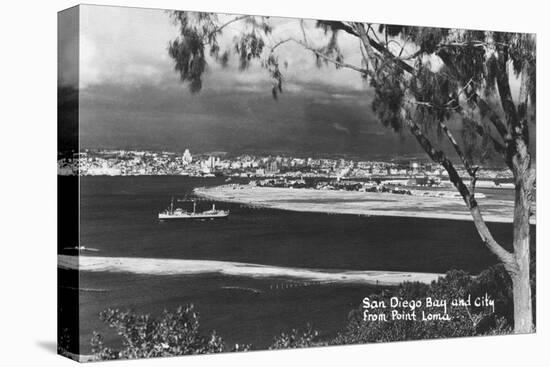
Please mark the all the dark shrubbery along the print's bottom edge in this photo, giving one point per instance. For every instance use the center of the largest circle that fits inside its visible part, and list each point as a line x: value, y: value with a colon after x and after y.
x: 177, y: 333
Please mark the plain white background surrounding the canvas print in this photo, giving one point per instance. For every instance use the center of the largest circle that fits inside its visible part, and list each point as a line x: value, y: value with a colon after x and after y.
x: 28, y: 185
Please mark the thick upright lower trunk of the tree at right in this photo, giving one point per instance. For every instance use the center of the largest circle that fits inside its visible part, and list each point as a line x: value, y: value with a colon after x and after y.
x: 523, y: 313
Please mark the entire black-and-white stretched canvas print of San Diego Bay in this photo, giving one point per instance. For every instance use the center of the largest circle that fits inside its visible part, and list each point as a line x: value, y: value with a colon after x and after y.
x: 231, y: 183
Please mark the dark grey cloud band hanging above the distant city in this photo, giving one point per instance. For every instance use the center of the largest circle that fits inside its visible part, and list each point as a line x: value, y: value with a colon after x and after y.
x: 150, y: 117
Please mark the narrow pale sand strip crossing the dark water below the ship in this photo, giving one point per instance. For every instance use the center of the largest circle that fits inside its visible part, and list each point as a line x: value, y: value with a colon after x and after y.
x: 189, y: 267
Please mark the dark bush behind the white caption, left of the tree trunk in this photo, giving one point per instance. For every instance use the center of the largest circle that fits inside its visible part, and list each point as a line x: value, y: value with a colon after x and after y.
x: 494, y: 281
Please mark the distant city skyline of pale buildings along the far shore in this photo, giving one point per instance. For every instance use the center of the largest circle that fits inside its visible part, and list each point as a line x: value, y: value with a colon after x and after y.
x: 135, y: 162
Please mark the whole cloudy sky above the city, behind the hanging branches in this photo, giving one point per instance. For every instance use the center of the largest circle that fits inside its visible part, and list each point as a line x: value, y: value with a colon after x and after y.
x: 131, y: 97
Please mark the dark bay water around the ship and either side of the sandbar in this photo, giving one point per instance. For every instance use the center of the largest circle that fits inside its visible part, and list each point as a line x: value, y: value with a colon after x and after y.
x: 118, y: 218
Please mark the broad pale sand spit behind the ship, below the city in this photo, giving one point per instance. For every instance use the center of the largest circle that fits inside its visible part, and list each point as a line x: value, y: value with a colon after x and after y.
x: 358, y: 203
